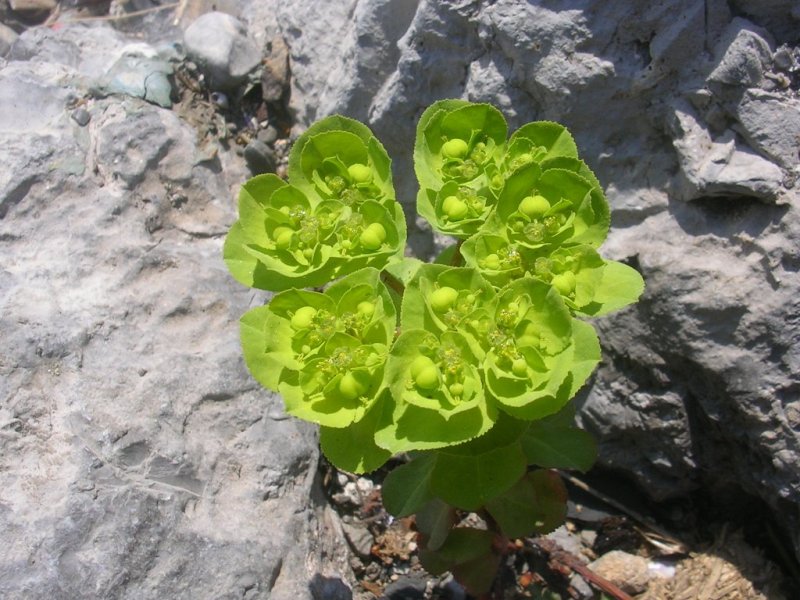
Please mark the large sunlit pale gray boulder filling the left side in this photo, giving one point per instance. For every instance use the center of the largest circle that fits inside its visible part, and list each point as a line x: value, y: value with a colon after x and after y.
x: 138, y: 459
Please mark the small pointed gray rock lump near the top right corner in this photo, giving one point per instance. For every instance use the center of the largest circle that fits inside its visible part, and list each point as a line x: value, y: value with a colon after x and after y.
x: 743, y: 54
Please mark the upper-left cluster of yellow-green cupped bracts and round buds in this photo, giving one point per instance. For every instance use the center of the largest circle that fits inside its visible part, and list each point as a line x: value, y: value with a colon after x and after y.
x: 336, y: 214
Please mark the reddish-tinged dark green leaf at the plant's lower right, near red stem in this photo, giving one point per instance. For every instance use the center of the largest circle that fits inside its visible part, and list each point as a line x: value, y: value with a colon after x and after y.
x: 536, y: 504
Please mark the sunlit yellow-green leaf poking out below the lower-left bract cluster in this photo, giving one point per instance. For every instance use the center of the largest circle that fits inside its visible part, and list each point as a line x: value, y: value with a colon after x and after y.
x: 353, y: 448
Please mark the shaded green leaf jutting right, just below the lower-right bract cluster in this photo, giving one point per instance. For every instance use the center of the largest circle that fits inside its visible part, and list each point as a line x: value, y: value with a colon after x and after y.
x: 559, y: 447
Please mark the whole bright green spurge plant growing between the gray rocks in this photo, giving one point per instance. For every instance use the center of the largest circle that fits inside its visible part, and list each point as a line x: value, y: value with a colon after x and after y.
x: 467, y: 364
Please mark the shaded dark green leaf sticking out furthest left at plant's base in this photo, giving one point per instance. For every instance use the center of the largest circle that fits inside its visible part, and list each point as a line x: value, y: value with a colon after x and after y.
x: 407, y: 488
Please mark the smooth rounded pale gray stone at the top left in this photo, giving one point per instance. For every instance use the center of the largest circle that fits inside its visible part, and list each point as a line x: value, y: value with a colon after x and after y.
x: 218, y: 42
